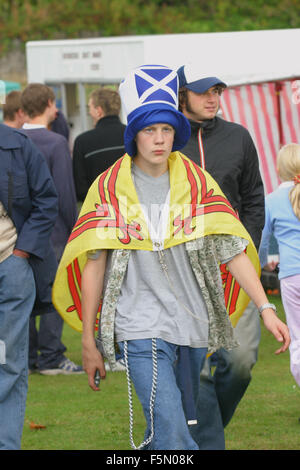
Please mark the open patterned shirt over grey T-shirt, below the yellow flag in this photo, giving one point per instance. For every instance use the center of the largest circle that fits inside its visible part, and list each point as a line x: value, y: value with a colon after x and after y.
x: 205, y: 254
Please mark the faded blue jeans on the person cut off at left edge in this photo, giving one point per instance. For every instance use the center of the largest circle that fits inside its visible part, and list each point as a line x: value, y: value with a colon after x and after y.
x: 17, y: 295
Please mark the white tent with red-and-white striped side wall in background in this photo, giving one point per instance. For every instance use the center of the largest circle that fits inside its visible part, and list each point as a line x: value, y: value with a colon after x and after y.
x: 261, y: 69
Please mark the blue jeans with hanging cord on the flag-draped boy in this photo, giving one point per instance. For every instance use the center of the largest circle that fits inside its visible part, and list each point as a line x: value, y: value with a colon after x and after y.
x: 171, y: 431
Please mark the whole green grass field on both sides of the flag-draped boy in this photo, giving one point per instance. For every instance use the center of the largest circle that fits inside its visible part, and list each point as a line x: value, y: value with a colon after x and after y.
x: 76, y: 418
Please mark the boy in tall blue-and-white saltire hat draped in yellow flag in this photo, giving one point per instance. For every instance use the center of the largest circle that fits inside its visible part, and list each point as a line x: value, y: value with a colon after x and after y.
x: 158, y: 273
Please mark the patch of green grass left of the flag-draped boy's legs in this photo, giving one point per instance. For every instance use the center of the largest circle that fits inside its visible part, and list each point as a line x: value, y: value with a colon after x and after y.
x: 76, y: 418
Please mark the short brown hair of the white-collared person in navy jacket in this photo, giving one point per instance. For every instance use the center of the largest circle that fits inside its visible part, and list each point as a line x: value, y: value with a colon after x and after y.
x: 35, y: 99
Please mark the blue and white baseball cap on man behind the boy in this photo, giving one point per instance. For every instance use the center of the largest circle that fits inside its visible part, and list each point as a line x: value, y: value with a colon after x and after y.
x: 189, y: 78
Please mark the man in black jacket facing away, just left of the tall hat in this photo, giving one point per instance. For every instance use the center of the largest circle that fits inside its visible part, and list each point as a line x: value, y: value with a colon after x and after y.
x: 97, y: 149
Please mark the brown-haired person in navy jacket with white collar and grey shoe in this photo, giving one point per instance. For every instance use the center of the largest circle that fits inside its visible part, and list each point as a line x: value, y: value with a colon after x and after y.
x: 38, y: 102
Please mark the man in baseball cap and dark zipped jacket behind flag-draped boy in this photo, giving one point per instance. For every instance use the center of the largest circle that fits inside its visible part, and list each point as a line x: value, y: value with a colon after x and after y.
x: 226, y: 150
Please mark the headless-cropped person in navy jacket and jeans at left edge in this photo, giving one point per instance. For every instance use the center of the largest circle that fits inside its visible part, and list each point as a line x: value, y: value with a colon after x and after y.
x: 28, y: 210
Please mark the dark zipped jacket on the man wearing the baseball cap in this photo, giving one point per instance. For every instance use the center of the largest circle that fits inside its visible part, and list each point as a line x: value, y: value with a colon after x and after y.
x: 231, y: 159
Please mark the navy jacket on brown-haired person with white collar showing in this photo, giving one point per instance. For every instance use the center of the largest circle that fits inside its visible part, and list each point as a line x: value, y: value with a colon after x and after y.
x: 55, y: 149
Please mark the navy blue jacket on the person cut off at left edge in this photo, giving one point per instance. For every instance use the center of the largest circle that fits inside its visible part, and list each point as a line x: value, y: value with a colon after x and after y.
x: 28, y: 194
